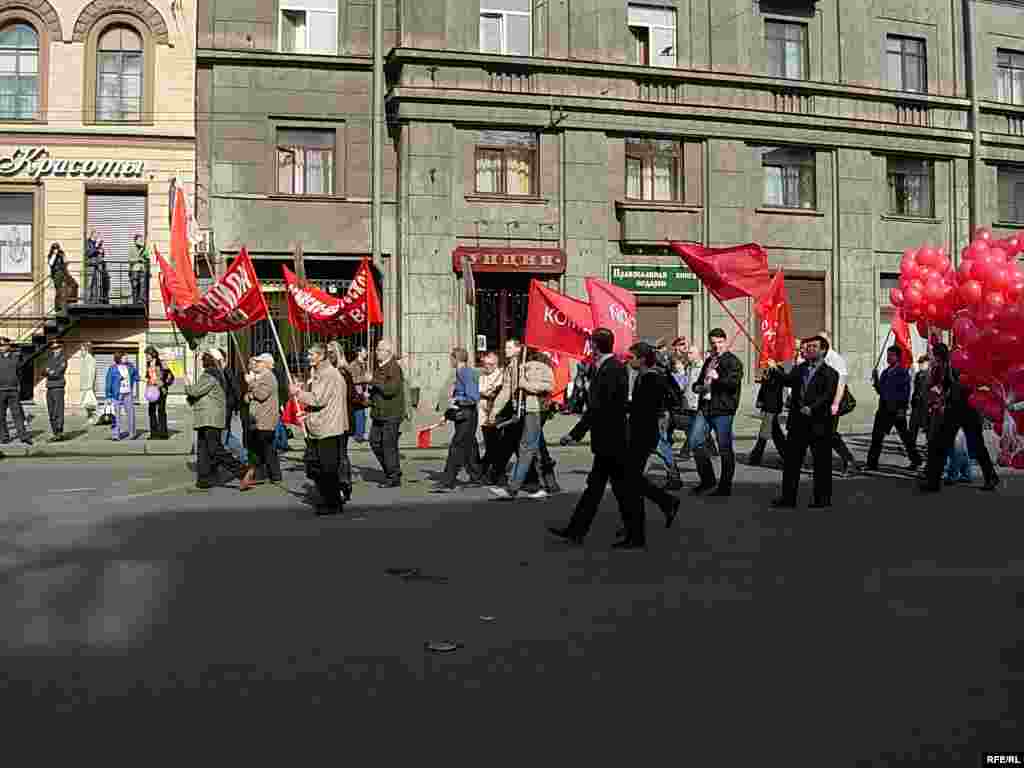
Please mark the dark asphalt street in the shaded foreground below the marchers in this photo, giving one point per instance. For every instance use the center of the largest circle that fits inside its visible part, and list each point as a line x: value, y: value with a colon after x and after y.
x: 883, y: 632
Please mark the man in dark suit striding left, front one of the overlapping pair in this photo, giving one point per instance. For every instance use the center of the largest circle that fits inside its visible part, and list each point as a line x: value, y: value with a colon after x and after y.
x: 606, y: 420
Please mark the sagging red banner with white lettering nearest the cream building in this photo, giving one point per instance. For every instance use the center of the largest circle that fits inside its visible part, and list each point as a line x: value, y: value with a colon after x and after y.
x: 234, y: 303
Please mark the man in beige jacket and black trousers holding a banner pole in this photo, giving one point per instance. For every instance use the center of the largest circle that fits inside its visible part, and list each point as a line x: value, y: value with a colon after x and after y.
x: 327, y: 424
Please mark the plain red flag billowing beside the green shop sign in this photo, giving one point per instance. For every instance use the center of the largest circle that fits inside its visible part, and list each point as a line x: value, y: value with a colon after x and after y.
x: 729, y: 273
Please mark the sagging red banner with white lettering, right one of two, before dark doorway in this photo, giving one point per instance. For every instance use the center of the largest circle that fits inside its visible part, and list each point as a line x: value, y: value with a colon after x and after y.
x: 313, y: 310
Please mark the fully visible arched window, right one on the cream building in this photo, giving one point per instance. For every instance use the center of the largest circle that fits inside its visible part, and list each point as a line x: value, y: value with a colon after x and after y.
x: 120, y: 75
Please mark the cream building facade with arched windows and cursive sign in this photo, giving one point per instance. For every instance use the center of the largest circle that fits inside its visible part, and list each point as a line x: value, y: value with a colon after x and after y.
x: 97, y: 117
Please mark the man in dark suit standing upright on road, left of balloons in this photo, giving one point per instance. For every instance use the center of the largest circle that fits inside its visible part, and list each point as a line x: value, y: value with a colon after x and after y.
x: 814, y: 386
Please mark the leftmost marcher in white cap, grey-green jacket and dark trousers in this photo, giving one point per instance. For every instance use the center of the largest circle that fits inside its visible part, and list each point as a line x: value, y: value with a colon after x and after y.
x: 208, y: 401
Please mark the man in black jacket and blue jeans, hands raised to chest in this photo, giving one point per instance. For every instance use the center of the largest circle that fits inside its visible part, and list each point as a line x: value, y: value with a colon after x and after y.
x: 719, y: 386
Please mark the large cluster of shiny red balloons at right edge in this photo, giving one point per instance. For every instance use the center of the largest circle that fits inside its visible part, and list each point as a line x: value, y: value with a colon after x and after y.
x: 983, y: 303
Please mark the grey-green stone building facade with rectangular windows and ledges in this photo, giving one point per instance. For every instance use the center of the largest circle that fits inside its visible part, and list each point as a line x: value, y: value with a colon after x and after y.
x: 836, y: 135
